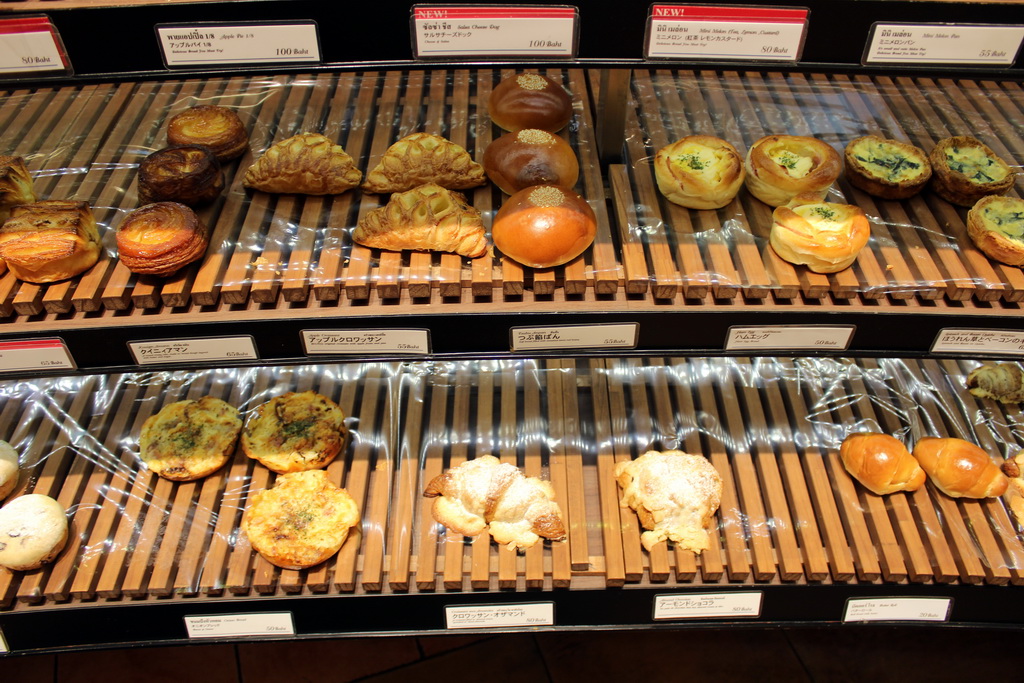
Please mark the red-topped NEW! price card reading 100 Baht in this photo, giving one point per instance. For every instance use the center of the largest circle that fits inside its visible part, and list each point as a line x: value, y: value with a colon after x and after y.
x: 465, y: 31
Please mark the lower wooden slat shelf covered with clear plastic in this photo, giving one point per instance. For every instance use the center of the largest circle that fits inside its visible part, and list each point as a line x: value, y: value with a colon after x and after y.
x: 791, y: 517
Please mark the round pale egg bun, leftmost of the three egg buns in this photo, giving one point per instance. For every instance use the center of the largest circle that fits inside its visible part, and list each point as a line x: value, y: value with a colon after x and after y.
x: 700, y: 173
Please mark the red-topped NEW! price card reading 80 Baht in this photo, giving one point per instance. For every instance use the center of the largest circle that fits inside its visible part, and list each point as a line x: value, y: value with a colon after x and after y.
x: 728, y: 32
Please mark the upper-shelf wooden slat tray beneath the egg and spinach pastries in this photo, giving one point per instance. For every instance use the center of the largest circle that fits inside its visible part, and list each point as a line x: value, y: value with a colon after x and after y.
x: 919, y: 247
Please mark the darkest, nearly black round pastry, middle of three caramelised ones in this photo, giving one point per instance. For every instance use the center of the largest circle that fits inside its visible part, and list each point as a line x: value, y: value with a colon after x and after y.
x: 189, y: 175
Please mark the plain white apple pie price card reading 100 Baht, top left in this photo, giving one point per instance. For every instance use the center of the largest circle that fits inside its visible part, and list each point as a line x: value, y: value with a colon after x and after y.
x: 209, y: 45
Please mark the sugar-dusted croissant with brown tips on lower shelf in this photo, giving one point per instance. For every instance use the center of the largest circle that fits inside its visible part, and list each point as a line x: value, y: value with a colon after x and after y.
x: 486, y: 494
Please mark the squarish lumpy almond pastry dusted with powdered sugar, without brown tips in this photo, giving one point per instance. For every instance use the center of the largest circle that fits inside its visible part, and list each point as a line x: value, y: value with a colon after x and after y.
x: 675, y: 495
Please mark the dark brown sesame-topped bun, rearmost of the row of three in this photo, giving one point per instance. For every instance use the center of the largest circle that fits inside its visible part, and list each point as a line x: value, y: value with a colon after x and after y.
x: 530, y: 101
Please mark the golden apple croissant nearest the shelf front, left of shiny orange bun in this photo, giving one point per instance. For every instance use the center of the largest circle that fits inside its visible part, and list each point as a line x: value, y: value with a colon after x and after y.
x: 426, y: 219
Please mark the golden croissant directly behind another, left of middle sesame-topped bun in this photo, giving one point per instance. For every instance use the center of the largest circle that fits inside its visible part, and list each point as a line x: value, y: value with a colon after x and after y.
x: 422, y: 158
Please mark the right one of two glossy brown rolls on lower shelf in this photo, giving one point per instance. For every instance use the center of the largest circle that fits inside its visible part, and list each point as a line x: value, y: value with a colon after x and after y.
x: 959, y: 468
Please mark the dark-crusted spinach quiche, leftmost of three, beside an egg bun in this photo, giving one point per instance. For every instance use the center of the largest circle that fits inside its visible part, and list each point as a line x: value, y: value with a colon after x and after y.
x: 886, y: 168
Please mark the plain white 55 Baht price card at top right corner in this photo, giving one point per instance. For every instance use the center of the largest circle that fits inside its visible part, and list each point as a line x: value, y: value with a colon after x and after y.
x: 945, y: 44
